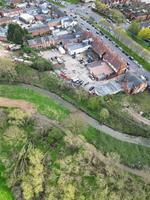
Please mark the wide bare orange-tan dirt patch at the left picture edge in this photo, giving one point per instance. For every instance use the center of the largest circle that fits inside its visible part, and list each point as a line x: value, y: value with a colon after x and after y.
x: 25, y: 106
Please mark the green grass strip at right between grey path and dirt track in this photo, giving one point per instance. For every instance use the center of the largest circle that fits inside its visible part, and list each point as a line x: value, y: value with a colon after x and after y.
x: 130, y: 154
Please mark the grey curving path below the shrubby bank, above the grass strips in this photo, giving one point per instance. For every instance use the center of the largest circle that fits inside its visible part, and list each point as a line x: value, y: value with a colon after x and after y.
x: 92, y: 122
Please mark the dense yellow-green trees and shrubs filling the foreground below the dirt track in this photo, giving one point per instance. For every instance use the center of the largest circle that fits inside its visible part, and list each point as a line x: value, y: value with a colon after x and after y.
x: 44, y: 161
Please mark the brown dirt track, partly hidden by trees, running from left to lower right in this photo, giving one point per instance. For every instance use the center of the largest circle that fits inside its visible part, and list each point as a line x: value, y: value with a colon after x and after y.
x: 28, y: 107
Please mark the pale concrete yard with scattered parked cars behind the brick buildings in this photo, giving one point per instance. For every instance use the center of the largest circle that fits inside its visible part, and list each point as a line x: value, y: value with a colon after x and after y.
x: 75, y: 70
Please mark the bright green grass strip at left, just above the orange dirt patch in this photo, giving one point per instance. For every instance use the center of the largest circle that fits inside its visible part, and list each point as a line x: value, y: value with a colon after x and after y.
x: 44, y: 105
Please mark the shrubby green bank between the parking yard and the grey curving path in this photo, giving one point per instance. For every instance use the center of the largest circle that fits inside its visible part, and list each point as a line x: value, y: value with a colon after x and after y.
x: 118, y: 119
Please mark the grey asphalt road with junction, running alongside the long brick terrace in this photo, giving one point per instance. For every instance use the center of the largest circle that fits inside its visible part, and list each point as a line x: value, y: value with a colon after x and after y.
x: 84, y: 10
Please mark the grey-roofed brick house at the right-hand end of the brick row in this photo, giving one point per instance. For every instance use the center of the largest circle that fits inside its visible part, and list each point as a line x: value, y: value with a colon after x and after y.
x: 133, y: 83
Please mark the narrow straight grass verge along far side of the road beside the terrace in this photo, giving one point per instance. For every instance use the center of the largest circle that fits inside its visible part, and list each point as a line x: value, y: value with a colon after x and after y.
x: 140, y: 60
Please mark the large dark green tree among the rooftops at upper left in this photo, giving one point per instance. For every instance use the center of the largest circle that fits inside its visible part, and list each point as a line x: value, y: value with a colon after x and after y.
x: 16, y: 34
